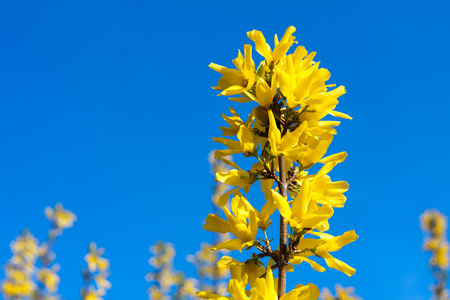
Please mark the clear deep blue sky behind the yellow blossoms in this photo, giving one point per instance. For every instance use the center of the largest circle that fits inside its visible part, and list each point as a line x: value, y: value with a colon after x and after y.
x: 106, y: 107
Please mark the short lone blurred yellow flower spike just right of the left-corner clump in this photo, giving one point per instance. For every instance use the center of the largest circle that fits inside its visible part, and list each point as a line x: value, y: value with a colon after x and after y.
x: 95, y: 275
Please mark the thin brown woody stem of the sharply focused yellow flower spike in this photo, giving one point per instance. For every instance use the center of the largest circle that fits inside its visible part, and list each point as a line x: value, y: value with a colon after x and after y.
x: 282, y: 264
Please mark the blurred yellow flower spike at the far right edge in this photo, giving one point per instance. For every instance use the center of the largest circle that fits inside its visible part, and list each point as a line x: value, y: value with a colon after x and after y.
x: 434, y: 226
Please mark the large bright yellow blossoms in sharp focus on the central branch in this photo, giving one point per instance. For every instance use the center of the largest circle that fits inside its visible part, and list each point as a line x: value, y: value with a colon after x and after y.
x: 287, y: 135
